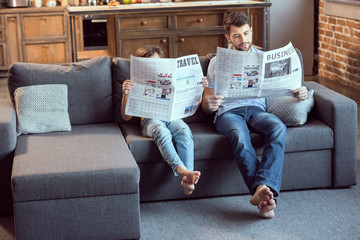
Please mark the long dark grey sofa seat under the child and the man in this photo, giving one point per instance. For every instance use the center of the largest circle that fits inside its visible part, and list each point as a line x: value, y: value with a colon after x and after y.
x: 208, y: 144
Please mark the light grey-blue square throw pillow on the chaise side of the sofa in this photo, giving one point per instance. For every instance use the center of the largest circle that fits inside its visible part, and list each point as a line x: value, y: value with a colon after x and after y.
x: 42, y: 108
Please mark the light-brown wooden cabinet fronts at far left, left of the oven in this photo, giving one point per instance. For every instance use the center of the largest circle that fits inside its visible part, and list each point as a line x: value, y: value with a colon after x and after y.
x: 34, y: 35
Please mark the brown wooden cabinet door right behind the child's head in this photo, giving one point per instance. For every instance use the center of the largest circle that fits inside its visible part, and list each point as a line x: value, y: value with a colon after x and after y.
x: 129, y: 46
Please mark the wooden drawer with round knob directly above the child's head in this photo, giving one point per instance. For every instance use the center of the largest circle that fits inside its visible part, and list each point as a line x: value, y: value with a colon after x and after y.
x: 143, y: 23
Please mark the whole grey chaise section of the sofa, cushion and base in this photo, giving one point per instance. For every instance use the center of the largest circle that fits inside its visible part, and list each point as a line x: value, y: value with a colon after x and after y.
x: 82, y: 184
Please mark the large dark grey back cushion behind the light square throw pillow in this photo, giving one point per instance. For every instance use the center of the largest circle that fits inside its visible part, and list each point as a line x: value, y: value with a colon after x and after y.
x: 89, y: 86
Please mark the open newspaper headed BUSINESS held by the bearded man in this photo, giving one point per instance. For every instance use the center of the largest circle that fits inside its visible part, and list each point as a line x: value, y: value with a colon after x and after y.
x: 252, y: 75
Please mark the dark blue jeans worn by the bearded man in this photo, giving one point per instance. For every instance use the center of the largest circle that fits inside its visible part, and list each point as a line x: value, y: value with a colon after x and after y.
x: 236, y: 125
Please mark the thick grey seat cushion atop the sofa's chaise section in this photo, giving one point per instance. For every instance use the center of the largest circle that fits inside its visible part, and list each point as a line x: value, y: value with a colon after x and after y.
x: 91, y: 160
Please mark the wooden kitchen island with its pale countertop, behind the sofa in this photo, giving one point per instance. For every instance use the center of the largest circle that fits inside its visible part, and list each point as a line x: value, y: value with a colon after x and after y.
x: 180, y: 28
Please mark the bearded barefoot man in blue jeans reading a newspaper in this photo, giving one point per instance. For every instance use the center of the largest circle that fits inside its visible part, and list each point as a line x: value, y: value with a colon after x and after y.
x: 236, y: 118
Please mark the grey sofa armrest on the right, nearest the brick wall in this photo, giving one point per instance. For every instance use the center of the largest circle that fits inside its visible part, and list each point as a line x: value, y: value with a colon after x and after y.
x: 340, y: 113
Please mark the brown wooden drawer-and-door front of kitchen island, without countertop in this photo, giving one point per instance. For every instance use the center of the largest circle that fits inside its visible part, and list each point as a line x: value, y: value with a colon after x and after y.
x: 177, y: 32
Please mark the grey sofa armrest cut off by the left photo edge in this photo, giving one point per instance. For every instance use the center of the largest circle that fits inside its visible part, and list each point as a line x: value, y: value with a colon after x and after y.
x: 7, y: 128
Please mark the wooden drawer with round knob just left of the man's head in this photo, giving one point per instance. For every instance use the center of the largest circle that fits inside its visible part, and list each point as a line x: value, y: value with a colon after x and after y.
x: 199, y: 20
